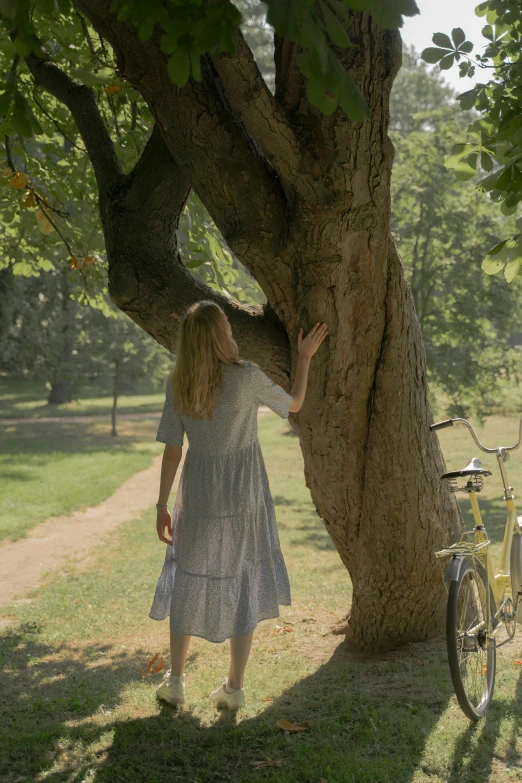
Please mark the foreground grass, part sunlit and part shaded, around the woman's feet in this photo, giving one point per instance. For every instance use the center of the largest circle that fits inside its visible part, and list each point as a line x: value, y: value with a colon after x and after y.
x: 74, y: 707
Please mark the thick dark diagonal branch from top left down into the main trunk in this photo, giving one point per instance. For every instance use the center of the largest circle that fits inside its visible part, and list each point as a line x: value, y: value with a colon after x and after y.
x: 241, y: 191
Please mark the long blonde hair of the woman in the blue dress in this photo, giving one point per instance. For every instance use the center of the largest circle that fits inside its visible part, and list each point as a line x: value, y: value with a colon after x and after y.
x: 204, y: 346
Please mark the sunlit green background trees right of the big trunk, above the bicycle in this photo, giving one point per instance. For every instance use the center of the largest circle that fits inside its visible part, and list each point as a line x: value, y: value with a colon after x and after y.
x: 444, y: 228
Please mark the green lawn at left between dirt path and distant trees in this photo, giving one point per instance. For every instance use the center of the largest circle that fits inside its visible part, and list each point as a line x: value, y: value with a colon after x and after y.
x: 53, y: 469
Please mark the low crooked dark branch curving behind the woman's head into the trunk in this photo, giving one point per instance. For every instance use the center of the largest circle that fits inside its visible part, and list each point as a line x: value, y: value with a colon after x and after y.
x: 147, y: 278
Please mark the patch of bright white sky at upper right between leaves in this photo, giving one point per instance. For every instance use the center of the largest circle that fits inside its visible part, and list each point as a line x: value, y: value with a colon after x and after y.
x: 441, y: 16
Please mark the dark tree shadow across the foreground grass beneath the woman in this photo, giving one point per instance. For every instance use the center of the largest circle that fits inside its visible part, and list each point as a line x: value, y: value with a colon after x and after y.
x: 371, y: 719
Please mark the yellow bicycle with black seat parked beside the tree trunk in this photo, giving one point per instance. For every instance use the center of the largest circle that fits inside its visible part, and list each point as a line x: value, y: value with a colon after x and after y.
x: 480, y: 601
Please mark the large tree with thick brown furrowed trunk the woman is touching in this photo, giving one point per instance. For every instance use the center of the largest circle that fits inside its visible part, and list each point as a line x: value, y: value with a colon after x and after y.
x: 301, y: 194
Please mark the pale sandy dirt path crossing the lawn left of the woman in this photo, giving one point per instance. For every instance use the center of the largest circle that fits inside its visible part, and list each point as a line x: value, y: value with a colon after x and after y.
x: 25, y: 562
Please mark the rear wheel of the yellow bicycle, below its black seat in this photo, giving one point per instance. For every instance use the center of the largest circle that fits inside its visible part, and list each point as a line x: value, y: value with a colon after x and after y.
x: 471, y: 653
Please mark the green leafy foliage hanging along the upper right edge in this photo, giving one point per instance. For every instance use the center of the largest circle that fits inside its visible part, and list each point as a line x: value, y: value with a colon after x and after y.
x: 495, y: 146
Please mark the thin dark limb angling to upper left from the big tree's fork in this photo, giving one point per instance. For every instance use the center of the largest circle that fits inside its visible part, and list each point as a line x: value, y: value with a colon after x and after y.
x: 81, y: 102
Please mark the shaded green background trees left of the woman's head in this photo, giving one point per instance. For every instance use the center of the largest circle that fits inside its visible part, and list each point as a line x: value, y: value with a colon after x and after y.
x: 51, y: 337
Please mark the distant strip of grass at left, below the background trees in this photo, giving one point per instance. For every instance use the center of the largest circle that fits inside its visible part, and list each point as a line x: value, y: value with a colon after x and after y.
x: 21, y: 398
